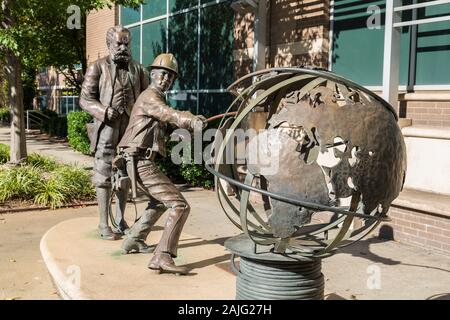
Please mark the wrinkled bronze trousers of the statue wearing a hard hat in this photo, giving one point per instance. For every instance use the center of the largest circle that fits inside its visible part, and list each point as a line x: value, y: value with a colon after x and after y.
x: 162, y: 195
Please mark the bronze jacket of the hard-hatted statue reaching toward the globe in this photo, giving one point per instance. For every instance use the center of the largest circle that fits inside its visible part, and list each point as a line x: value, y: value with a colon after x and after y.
x: 148, y: 121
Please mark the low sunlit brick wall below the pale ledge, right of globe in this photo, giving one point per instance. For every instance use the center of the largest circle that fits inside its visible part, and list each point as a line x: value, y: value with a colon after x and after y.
x: 422, y: 229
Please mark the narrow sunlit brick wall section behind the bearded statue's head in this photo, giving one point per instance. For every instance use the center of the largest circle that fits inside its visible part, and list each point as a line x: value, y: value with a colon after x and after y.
x: 98, y: 22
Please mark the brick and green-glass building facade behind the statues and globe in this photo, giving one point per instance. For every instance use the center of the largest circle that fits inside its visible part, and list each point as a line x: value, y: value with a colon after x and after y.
x: 398, y: 49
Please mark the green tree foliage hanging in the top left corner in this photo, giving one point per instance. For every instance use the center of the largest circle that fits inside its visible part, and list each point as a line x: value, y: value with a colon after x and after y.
x: 41, y: 37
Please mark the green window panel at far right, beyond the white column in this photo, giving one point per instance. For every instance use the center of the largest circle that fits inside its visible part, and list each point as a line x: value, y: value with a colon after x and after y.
x: 433, y: 48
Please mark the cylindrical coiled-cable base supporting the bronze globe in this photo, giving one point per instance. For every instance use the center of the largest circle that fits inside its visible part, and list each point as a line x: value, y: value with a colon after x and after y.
x: 271, y: 276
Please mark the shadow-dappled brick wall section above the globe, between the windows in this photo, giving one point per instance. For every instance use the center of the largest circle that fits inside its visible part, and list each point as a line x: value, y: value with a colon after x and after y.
x: 297, y: 34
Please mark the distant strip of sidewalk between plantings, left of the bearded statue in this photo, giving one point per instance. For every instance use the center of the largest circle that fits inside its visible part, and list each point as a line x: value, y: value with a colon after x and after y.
x: 42, y: 145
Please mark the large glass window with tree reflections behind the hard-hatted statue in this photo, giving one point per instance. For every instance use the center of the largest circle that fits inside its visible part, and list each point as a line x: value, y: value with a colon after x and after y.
x: 178, y: 34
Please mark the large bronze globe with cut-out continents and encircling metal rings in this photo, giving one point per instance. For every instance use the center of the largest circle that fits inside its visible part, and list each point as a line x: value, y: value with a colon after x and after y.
x: 310, y: 113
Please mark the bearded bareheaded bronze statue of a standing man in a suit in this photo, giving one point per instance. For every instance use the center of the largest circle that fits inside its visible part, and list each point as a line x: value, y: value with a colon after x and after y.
x: 111, y: 86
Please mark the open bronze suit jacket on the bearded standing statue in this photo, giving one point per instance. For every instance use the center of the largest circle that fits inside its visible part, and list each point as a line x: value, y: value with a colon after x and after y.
x: 98, y: 91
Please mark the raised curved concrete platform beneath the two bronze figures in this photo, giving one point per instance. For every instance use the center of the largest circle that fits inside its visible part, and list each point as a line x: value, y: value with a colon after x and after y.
x: 83, y: 266
